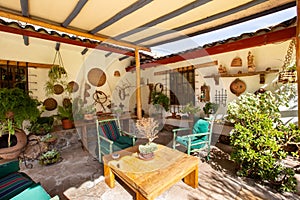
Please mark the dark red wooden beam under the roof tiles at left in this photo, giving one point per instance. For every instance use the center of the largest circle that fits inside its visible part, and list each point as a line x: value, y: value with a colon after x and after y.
x: 46, y: 36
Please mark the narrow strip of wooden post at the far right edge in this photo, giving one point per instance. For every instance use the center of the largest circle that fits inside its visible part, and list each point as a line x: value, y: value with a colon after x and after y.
x: 298, y: 56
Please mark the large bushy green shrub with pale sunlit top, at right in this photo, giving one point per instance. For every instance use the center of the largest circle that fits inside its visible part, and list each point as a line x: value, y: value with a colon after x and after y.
x: 259, y: 137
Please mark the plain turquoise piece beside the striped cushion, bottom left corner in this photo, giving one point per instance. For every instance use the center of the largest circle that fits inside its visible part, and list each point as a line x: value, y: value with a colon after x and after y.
x: 36, y: 191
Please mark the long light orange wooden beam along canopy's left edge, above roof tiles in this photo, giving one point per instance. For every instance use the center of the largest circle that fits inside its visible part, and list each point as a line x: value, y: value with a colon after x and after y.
x: 69, y: 31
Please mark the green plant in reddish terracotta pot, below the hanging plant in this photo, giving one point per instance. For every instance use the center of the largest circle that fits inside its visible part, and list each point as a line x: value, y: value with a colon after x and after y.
x: 65, y: 114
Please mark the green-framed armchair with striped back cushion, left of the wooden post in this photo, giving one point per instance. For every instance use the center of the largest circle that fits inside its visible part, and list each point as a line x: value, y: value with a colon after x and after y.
x: 111, y: 138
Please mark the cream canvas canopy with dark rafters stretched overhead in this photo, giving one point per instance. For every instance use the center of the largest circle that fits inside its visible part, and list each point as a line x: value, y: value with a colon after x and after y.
x: 145, y: 23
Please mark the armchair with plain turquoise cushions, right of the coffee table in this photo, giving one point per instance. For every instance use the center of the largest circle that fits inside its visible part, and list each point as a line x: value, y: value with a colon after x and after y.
x: 197, y: 138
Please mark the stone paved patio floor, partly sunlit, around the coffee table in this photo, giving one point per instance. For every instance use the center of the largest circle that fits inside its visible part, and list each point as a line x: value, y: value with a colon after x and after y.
x: 80, y: 176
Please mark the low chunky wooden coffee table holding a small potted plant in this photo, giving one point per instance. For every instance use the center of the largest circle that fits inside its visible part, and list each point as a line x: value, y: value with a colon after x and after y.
x: 150, y: 178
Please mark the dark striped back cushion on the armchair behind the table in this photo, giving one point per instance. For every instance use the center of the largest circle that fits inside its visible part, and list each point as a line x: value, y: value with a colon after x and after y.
x: 110, y: 130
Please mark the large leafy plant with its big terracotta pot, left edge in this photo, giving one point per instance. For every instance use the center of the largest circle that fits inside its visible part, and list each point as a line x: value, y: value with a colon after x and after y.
x: 16, y: 106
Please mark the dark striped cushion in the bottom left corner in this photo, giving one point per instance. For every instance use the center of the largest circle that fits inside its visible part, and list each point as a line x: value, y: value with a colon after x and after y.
x: 13, y: 184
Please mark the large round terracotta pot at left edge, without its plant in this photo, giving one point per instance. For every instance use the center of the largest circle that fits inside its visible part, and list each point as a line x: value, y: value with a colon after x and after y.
x: 14, y: 151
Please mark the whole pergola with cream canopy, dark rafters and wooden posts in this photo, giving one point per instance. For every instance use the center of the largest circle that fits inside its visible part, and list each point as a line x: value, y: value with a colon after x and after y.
x: 132, y: 26
